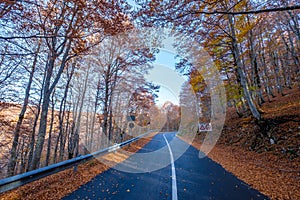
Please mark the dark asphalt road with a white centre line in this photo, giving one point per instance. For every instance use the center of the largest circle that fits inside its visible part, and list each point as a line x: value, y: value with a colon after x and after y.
x: 187, y: 178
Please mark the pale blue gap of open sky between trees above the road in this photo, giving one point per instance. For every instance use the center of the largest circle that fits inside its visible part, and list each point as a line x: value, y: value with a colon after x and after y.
x: 164, y: 74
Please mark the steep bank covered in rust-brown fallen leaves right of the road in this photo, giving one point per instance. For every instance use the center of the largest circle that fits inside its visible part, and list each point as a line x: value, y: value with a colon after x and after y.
x: 265, y: 155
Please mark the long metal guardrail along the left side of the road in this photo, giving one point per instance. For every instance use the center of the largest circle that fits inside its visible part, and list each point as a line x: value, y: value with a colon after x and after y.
x: 22, y: 179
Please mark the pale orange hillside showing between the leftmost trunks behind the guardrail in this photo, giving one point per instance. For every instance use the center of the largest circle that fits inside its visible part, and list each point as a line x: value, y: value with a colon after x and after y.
x: 9, y: 114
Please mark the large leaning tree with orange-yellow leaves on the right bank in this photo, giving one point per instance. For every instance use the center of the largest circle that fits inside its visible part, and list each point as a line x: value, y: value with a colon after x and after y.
x: 231, y: 21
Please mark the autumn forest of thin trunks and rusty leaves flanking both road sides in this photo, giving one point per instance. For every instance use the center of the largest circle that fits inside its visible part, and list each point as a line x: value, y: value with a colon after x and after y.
x: 72, y: 72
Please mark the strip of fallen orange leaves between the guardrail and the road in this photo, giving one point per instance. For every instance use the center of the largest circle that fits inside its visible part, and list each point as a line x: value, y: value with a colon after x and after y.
x: 60, y: 184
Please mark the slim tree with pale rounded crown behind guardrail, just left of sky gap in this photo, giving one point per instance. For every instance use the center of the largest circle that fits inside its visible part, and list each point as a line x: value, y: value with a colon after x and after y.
x: 117, y: 58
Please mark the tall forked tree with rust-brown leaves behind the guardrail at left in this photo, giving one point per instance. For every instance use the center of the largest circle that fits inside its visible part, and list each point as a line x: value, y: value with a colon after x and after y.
x: 64, y: 21
